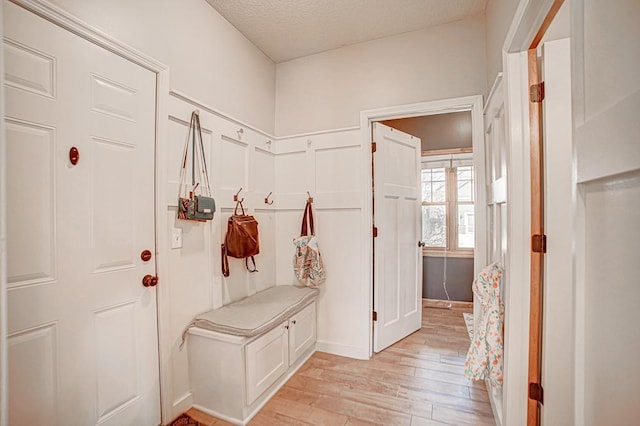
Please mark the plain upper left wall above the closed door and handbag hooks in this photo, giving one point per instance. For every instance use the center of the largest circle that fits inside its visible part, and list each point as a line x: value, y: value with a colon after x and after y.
x: 209, y: 59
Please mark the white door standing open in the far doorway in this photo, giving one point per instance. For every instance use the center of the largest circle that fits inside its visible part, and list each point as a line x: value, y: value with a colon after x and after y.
x: 398, y: 219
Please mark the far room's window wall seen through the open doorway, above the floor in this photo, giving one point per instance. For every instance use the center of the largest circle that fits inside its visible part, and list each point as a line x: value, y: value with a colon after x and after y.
x: 448, y: 198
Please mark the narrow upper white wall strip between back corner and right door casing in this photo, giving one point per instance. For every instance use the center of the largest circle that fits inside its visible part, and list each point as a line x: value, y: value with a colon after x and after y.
x: 498, y: 17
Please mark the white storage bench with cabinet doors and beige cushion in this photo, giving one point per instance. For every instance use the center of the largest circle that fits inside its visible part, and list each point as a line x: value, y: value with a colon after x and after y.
x: 242, y: 353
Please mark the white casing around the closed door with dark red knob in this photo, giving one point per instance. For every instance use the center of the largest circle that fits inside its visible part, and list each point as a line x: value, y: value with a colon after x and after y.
x: 69, y: 22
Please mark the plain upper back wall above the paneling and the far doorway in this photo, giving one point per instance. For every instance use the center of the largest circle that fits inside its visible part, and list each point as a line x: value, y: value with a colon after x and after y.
x: 328, y: 90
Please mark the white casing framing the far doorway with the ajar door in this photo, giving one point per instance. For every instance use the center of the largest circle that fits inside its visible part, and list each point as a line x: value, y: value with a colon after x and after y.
x: 467, y: 103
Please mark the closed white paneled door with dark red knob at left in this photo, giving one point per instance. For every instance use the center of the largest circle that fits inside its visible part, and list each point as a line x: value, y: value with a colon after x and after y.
x: 82, y: 328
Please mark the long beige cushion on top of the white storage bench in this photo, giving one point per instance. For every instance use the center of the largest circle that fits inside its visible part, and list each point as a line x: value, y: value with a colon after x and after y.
x: 258, y: 313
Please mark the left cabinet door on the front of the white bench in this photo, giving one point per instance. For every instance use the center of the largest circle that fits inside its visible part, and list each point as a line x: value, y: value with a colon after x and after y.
x: 267, y: 359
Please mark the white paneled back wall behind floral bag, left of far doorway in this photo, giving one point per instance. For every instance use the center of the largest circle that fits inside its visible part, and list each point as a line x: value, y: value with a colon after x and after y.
x: 329, y: 167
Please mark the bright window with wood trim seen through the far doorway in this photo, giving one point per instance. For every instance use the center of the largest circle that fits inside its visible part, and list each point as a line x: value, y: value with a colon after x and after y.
x: 448, y: 206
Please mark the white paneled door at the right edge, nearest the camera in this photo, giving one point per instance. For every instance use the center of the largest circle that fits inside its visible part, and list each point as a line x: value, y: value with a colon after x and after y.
x: 605, y: 38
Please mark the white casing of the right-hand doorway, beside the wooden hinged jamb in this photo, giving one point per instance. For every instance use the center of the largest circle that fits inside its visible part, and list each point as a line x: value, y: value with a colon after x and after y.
x: 531, y: 20
